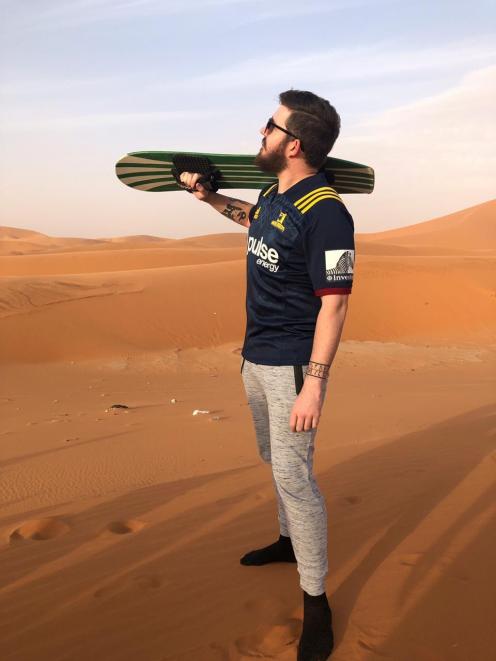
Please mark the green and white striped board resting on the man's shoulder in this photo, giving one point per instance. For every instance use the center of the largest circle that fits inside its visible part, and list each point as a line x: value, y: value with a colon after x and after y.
x: 152, y: 171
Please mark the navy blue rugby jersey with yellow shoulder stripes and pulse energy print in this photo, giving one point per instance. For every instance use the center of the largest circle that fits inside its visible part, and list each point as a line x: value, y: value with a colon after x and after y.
x: 300, y: 247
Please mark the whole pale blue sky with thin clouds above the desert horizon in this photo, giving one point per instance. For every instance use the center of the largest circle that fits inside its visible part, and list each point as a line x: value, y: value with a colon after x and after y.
x: 86, y: 81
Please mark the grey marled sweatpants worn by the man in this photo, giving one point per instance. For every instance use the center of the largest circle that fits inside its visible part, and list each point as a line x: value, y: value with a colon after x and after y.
x: 271, y: 392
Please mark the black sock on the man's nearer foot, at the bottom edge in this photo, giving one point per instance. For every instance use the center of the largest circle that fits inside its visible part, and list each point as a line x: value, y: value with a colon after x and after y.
x: 317, y: 639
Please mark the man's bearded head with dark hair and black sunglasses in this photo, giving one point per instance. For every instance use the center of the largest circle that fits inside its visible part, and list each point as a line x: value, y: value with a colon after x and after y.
x: 312, y: 126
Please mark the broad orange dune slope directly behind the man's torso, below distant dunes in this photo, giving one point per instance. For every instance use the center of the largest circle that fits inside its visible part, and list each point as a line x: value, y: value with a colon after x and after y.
x: 412, y: 300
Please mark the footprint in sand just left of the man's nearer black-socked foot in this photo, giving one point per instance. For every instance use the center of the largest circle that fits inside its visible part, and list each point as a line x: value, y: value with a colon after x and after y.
x: 268, y: 642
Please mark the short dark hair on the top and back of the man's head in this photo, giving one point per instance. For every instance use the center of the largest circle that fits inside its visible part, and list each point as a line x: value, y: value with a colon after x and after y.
x: 314, y: 121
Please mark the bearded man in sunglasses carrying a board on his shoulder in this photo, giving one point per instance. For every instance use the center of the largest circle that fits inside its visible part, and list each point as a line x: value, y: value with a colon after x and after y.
x: 300, y: 260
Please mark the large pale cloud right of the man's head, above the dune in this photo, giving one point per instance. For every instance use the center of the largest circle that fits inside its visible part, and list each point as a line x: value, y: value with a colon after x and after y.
x: 430, y: 157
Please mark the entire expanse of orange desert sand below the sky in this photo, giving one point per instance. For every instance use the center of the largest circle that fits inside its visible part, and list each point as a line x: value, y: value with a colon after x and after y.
x: 121, y: 529
